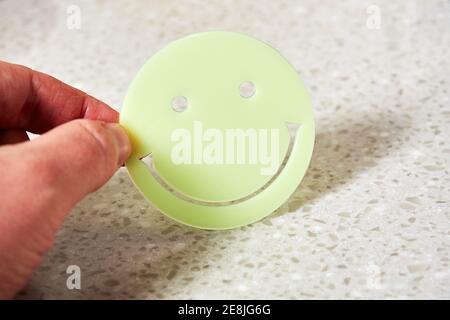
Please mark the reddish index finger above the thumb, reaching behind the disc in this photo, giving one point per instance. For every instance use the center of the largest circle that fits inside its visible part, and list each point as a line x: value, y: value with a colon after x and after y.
x: 37, y: 102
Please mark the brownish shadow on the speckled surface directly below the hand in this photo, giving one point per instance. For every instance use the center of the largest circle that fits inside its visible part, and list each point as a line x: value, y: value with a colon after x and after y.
x: 124, y: 248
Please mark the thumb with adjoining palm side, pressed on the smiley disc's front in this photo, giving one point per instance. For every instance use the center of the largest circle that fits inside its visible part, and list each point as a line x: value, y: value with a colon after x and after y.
x: 41, y: 182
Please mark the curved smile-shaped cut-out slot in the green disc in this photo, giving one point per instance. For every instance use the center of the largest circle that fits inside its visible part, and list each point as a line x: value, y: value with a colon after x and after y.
x: 148, y: 161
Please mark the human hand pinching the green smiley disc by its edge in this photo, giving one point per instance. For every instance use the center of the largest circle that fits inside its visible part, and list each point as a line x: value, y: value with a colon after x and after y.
x: 43, y: 179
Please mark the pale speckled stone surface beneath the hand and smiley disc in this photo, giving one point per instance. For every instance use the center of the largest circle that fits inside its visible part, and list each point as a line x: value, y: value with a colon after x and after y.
x: 370, y: 219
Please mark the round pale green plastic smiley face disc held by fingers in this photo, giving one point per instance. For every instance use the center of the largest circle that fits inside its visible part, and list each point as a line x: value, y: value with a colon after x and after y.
x: 222, y: 130
